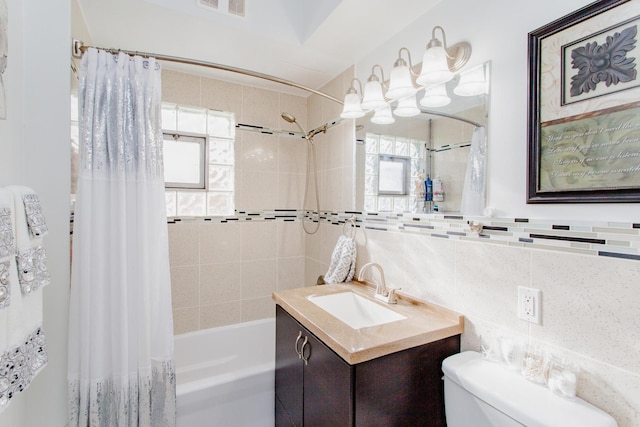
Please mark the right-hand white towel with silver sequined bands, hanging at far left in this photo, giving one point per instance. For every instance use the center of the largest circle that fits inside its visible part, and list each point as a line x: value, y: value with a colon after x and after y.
x: 30, y: 227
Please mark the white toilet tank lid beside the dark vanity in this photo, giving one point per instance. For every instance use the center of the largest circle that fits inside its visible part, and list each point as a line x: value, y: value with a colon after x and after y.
x: 530, y: 404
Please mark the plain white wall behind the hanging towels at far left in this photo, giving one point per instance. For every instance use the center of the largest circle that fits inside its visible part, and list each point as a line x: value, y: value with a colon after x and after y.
x: 34, y: 151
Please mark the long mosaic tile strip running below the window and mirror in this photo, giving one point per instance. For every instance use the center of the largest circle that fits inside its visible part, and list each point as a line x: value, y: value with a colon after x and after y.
x: 607, y: 239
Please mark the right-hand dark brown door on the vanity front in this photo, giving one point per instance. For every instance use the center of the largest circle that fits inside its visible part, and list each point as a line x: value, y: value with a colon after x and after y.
x: 328, y: 391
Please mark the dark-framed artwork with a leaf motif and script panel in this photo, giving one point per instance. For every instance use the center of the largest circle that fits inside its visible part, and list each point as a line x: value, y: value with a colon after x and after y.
x: 584, y: 106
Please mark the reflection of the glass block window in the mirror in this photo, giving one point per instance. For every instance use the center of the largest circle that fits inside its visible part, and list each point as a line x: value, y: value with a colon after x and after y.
x: 412, y: 155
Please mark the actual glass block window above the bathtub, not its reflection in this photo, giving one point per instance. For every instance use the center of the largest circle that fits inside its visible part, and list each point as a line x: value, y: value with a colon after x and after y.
x: 199, y: 161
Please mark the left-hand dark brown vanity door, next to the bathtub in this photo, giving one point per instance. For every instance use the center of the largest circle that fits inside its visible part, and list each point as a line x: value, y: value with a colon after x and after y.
x: 289, y: 371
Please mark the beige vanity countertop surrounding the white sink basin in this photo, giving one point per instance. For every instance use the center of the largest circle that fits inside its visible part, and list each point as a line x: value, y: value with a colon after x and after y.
x: 424, y: 323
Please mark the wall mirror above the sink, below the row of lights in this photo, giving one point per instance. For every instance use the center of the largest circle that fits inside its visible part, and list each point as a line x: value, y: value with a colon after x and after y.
x: 435, y: 143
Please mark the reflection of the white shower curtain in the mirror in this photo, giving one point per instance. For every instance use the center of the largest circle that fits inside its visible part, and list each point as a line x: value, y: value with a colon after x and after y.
x: 473, y: 198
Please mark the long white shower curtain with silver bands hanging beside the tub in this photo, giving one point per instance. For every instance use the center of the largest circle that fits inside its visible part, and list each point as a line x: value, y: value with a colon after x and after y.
x: 120, y: 368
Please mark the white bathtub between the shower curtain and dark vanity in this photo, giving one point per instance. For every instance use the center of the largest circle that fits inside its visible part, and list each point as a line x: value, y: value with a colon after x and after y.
x: 225, y: 376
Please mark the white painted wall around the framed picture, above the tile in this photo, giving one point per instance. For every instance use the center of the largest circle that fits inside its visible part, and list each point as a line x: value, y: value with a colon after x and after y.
x: 497, y: 31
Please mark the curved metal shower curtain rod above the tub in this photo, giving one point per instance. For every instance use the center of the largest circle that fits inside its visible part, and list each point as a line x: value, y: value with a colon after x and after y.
x: 78, y: 48
